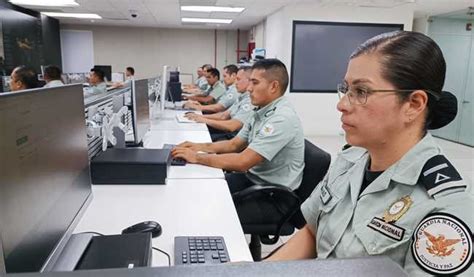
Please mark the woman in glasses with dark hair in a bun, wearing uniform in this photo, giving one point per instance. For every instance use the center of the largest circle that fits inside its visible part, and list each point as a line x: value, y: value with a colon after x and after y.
x: 393, y: 192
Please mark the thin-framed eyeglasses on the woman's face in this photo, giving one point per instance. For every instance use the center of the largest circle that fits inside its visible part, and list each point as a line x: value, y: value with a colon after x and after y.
x: 358, y: 95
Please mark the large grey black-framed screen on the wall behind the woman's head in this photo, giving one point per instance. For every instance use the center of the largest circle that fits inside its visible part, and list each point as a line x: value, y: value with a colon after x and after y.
x: 321, y: 51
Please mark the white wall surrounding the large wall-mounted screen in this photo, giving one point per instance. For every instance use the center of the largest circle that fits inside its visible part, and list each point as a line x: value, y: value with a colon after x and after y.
x: 318, y: 111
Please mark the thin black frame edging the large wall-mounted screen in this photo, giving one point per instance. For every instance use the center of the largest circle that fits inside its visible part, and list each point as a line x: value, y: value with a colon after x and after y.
x: 333, y: 23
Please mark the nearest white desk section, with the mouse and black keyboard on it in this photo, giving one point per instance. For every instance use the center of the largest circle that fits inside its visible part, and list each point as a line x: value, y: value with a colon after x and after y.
x: 182, y: 207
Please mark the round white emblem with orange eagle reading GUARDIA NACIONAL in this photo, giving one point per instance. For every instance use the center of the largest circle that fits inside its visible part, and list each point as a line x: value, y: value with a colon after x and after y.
x: 442, y: 245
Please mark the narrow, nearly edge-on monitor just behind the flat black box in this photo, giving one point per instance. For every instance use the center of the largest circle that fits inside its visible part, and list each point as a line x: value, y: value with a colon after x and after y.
x: 140, y: 109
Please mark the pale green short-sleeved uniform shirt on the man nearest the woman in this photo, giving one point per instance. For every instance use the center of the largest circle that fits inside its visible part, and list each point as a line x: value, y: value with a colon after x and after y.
x: 275, y: 132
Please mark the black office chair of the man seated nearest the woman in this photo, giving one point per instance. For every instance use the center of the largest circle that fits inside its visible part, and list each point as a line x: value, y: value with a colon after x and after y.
x: 269, y: 211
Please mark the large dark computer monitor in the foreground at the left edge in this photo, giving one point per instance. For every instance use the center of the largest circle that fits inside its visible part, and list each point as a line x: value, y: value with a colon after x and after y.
x: 44, y: 175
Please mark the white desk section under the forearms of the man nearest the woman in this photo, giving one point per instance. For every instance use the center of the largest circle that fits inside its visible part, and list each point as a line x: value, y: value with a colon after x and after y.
x: 156, y: 139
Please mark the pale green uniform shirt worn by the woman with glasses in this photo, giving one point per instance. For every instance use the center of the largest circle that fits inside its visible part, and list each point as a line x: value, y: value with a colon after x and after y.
x: 419, y: 212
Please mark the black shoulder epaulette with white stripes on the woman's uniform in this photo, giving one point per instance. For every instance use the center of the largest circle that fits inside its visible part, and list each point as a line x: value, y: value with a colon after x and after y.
x: 438, y: 174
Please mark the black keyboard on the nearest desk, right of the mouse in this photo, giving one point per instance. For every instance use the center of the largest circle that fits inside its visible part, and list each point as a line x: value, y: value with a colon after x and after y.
x: 200, y: 250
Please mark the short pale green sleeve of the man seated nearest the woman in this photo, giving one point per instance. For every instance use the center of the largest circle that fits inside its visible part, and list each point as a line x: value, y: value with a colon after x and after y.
x: 274, y: 134
